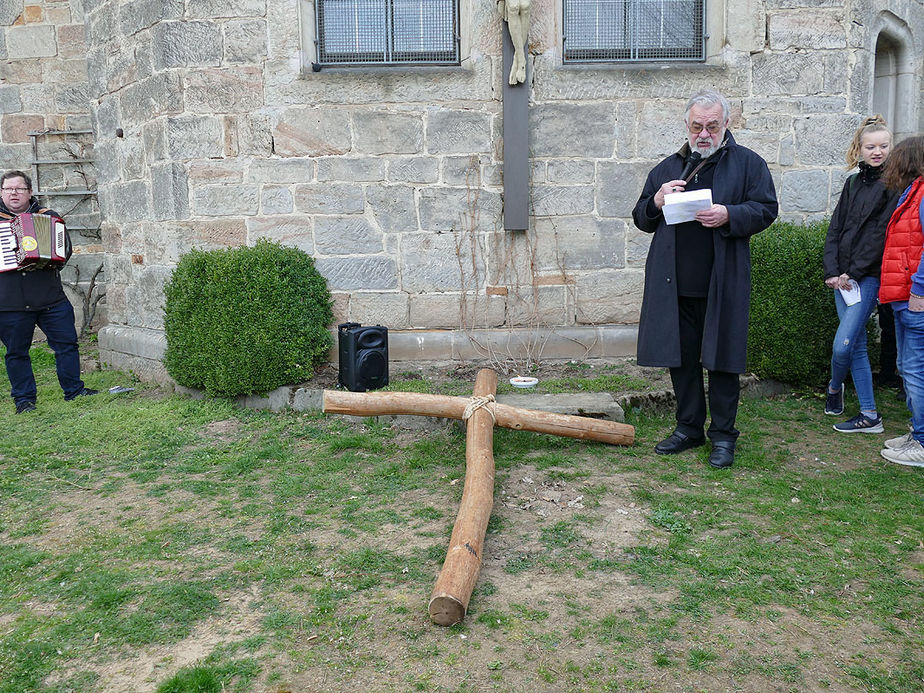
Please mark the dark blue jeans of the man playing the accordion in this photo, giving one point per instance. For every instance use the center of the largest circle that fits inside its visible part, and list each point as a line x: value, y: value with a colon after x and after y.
x: 57, y: 323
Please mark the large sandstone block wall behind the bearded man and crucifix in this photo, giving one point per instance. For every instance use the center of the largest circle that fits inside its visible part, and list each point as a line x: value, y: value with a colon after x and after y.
x: 210, y: 132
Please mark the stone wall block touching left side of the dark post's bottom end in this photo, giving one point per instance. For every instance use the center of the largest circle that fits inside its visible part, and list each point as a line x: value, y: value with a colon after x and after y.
x: 452, y: 209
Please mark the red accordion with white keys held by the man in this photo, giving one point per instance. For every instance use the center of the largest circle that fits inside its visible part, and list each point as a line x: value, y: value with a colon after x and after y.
x: 34, y: 241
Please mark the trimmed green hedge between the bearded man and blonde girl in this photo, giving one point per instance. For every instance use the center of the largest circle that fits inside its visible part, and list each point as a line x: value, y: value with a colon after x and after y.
x: 793, y: 319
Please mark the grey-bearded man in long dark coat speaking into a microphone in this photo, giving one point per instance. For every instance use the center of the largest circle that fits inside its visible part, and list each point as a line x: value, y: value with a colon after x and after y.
x: 698, y: 274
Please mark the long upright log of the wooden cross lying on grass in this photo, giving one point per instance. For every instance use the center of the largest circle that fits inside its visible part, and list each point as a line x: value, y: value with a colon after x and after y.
x: 457, y: 579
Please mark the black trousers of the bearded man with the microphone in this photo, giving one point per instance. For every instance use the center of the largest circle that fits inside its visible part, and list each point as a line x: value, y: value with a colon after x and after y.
x: 689, y: 387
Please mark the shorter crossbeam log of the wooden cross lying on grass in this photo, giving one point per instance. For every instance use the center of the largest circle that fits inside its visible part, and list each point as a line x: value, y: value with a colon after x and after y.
x: 442, y: 406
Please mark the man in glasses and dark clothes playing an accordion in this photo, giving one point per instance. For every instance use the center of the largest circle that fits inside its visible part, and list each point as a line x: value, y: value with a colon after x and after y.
x: 35, y: 297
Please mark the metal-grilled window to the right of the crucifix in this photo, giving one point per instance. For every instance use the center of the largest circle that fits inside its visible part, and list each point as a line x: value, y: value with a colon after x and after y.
x: 634, y: 30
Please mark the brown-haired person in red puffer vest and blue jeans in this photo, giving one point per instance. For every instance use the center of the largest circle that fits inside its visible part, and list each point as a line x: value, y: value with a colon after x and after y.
x: 902, y: 286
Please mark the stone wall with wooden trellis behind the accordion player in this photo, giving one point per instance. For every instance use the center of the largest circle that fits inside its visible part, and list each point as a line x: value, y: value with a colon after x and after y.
x: 43, y: 87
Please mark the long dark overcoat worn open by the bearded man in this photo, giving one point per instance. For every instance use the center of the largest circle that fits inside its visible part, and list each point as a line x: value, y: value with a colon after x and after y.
x: 742, y: 183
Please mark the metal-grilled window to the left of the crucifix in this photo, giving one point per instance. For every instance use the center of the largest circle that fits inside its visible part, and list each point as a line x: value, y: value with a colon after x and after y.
x: 386, y: 32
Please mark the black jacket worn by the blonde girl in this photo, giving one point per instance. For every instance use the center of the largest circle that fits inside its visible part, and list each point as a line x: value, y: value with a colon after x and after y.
x: 856, y: 234
